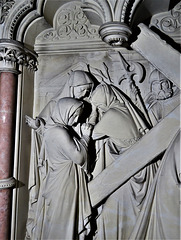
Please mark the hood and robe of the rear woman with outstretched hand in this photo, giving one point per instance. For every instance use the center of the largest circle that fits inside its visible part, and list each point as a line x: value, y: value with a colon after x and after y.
x: 37, y: 168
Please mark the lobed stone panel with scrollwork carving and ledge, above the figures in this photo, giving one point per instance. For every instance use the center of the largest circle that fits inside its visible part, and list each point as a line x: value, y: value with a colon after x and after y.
x: 71, y: 30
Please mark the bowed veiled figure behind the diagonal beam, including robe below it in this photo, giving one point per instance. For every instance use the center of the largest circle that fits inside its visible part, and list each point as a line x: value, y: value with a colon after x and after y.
x: 119, y: 127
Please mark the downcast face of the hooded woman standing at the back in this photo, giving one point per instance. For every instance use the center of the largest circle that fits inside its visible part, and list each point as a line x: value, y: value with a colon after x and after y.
x: 82, y: 91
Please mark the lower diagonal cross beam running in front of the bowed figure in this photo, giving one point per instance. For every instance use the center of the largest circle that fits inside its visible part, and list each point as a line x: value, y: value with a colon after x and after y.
x: 136, y: 158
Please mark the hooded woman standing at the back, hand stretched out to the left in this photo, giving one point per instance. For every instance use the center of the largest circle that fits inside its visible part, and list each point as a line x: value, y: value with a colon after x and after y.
x: 80, y: 86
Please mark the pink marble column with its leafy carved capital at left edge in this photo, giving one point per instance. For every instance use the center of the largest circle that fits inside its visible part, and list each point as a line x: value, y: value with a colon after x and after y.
x: 12, y: 55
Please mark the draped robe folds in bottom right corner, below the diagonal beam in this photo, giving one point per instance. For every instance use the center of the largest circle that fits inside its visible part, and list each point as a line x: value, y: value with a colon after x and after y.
x: 160, y: 215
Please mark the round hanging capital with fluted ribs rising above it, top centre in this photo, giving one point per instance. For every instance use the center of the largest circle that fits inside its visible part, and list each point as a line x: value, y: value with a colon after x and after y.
x: 117, y: 18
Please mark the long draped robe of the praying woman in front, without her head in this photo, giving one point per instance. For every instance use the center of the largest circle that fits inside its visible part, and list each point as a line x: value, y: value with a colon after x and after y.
x: 66, y: 205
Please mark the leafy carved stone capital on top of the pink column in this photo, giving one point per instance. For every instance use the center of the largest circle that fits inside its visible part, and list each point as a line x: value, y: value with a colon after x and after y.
x: 13, y: 54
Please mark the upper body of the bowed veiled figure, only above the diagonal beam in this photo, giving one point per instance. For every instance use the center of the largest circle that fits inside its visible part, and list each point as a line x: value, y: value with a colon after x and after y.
x: 118, y: 126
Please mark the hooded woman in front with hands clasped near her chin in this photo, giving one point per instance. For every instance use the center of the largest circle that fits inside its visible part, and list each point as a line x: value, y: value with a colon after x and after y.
x: 66, y: 201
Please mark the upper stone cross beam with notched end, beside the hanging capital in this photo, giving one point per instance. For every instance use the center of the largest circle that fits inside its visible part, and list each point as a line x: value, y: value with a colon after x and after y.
x: 160, y: 54
